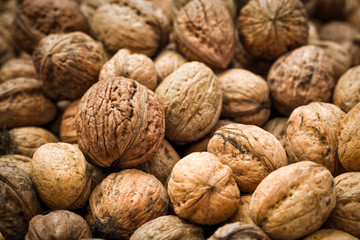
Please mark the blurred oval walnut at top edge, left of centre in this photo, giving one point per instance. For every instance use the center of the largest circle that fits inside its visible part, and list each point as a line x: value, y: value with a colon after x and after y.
x: 137, y: 25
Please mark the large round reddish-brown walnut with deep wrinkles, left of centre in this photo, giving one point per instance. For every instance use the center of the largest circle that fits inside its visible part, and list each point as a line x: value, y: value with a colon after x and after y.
x: 120, y: 123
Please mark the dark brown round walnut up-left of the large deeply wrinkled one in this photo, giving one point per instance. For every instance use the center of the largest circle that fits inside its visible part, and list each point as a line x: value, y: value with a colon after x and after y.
x: 68, y: 64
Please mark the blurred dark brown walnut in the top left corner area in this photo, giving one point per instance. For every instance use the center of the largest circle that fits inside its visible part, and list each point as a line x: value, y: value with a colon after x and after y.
x: 36, y: 19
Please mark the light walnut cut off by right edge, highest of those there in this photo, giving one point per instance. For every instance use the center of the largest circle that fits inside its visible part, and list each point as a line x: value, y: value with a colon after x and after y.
x: 346, y: 92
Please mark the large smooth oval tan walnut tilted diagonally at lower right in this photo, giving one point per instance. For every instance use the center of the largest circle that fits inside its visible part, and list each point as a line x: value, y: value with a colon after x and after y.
x: 294, y: 200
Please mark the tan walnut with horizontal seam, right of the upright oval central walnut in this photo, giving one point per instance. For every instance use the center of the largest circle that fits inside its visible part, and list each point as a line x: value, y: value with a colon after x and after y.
x: 245, y: 97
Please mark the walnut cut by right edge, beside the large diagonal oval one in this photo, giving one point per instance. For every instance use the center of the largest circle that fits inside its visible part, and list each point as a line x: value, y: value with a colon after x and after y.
x: 346, y: 214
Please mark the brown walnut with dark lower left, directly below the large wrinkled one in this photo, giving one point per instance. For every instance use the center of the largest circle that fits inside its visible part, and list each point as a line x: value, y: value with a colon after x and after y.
x: 126, y: 200
